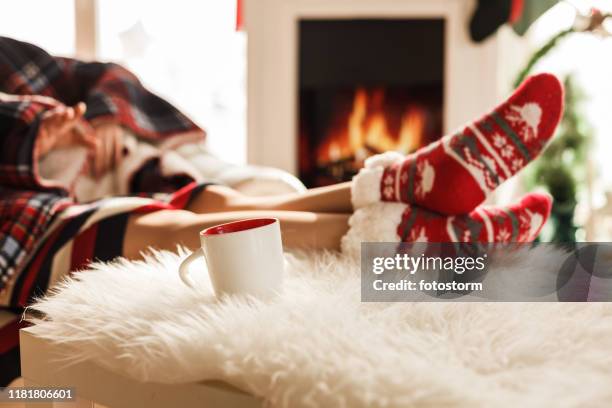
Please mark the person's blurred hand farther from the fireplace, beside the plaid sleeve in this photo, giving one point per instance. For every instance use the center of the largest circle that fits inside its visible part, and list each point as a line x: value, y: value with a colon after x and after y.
x: 64, y: 126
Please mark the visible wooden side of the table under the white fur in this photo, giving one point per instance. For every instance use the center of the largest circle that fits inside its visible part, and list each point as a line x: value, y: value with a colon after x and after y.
x: 94, y: 385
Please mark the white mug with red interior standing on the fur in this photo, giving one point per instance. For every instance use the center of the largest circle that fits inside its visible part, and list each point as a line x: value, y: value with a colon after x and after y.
x: 243, y: 257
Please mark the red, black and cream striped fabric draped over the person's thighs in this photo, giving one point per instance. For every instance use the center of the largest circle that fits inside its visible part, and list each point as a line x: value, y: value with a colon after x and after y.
x: 80, y: 234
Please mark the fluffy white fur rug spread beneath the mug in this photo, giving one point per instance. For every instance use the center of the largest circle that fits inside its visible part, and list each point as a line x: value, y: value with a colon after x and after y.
x: 318, y: 345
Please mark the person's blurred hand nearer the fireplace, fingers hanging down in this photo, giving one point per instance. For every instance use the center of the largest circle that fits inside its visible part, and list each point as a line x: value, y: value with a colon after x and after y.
x: 109, y: 151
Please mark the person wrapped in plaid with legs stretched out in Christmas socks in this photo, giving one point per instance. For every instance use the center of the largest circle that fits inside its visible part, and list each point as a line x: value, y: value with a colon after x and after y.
x: 47, y: 230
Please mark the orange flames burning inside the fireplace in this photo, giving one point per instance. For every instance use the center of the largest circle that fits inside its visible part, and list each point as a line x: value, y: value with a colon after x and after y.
x: 367, y: 130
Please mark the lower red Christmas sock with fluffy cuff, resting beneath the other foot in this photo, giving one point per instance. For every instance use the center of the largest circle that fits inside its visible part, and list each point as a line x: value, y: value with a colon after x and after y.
x: 394, y: 222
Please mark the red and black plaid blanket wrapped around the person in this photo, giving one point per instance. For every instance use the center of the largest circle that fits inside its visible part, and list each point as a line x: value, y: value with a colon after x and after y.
x: 28, y: 205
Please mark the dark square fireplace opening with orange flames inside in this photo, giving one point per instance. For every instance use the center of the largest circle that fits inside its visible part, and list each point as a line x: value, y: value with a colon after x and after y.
x: 366, y: 86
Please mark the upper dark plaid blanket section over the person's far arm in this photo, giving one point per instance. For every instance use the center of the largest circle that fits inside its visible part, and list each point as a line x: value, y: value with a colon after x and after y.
x: 109, y: 90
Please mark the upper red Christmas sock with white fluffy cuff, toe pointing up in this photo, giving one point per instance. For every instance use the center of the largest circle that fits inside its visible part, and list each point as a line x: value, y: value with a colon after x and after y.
x: 456, y: 173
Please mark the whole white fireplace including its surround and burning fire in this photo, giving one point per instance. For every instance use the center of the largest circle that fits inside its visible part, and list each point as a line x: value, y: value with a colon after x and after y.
x: 331, y: 82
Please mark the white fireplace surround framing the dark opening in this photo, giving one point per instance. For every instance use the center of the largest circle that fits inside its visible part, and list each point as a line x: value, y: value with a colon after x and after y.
x: 476, y: 75
